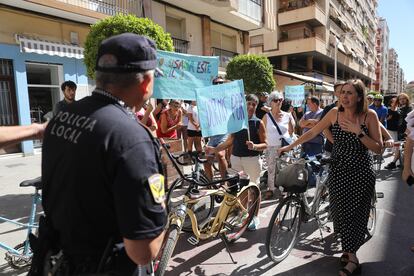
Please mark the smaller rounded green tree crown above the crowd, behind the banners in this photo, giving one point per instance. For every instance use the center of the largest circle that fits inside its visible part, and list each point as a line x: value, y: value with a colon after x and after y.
x: 255, y: 71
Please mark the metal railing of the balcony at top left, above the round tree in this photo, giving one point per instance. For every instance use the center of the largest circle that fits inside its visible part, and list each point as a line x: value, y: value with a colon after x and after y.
x: 108, y: 7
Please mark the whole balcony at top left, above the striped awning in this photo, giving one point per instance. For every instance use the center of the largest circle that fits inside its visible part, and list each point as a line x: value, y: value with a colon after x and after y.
x: 85, y: 11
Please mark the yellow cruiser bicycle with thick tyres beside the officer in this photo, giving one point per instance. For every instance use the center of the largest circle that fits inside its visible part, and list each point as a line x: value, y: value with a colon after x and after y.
x: 240, y: 200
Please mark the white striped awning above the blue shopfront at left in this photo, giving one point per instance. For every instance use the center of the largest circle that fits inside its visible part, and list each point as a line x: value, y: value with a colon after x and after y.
x: 44, y: 47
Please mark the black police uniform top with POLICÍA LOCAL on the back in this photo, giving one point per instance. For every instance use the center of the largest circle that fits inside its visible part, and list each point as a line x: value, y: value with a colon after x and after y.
x: 95, y: 166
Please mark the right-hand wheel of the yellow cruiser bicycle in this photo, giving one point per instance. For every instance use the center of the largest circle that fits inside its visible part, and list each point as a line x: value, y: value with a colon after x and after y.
x: 238, y: 219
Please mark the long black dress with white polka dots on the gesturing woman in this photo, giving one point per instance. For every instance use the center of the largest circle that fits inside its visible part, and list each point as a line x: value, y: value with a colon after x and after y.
x: 351, y: 184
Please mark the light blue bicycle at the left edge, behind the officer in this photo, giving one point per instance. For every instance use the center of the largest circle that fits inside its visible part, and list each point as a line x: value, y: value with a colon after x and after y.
x: 20, y: 255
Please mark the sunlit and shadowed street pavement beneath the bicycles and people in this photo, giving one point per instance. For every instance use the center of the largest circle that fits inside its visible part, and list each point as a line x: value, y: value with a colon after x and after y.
x: 387, y: 253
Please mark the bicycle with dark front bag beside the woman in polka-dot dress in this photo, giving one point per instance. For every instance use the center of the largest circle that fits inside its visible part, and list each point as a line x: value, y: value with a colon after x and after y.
x: 296, y: 208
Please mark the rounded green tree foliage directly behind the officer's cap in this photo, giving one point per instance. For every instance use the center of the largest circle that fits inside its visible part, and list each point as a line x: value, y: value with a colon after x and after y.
x: 122, y: 24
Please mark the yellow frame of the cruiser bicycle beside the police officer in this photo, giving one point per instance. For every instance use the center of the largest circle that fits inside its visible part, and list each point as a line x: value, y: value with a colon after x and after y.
x: 216, y: 225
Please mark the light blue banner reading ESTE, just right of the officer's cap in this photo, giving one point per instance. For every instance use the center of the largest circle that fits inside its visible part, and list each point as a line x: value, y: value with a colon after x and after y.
x: 181, y: 74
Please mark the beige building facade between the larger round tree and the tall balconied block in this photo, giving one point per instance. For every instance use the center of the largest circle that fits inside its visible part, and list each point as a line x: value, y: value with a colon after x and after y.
x: 209, y: 27
